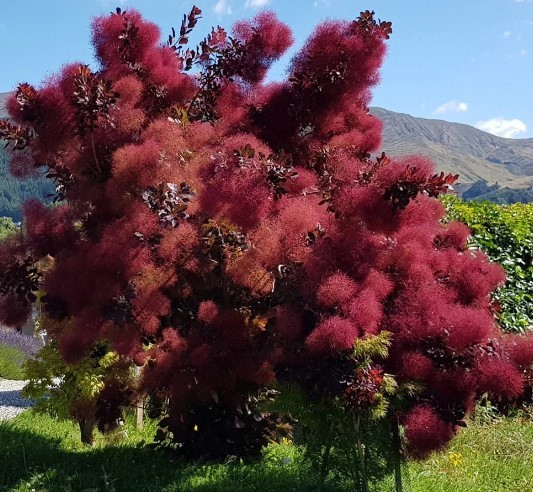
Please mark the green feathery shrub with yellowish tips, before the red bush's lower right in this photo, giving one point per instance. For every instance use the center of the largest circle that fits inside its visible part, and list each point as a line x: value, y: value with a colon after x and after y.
x: 343, y: 414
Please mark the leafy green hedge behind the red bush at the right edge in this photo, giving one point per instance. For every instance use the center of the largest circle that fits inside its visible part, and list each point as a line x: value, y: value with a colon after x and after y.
x: 505, y: 233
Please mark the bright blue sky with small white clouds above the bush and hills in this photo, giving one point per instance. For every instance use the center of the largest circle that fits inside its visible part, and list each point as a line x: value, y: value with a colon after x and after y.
x: 469, y: 61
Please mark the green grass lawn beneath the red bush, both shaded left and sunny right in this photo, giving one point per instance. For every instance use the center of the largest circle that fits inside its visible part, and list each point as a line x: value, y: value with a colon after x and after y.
x: 38, y: 453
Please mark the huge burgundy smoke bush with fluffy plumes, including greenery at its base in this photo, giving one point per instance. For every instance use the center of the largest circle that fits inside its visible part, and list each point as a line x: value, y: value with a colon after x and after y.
x: 213, y: 221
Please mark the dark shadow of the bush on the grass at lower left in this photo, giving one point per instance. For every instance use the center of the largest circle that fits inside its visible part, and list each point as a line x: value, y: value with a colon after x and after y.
x: 33, y: 461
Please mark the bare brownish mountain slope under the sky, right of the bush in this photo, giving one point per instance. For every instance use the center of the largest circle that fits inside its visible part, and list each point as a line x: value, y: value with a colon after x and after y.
x: 461, y: 149
